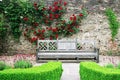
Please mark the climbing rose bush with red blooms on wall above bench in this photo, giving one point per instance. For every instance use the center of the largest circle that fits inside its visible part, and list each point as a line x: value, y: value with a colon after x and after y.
x: 47, y: 22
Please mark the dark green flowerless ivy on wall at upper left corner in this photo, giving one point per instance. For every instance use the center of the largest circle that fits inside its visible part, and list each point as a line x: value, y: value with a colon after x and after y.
x: 12, y: 11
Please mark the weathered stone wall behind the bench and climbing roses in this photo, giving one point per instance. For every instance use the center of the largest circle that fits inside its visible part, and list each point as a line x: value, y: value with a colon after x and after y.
x: 94, y: 27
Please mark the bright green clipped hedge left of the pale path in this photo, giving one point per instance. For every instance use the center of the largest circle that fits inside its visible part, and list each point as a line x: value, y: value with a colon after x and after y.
x: 48, y: 71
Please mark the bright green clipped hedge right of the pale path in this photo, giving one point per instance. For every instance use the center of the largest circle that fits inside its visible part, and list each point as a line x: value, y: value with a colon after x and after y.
x: 93, y: 71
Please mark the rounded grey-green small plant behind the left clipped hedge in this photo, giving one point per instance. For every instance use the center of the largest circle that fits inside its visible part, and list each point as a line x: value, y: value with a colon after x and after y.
x: 22, y: 64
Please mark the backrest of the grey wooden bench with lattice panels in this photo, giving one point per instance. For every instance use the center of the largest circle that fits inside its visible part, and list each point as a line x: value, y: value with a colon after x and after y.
x: 65, y: 45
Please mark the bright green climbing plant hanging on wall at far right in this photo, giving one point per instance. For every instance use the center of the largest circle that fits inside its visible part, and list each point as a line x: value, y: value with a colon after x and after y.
x: 114, y: 24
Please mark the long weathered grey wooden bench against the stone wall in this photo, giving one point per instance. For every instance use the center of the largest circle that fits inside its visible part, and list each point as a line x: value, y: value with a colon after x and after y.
x: 66, y: 50
